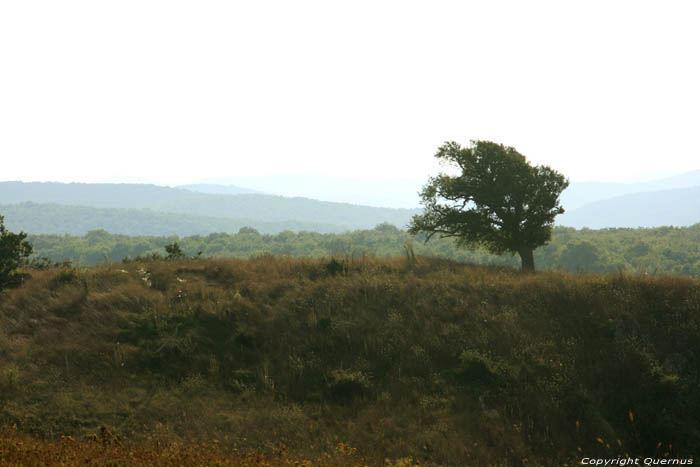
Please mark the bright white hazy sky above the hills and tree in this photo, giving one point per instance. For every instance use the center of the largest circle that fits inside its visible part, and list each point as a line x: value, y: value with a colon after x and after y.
x: 177, y: 91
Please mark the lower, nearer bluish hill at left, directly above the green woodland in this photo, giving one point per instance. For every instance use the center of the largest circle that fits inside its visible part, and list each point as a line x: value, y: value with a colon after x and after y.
x: 48, y: 218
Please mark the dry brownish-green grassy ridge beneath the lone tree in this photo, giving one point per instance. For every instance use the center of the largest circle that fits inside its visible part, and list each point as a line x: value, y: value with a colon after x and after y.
x: 438, y: 361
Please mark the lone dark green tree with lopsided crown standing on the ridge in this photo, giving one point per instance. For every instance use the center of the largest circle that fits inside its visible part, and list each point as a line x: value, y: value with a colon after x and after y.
x: 499, y: 201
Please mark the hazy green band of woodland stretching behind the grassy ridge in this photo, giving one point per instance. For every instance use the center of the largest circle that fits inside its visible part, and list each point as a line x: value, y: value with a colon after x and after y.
x: 662, y: 250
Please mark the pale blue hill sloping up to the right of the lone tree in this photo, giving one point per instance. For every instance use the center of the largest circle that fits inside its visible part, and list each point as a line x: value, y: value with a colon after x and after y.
x: 678, y: 207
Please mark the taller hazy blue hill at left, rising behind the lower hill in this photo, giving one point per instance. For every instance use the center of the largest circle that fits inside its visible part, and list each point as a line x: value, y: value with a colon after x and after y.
x: 249, y: 207
